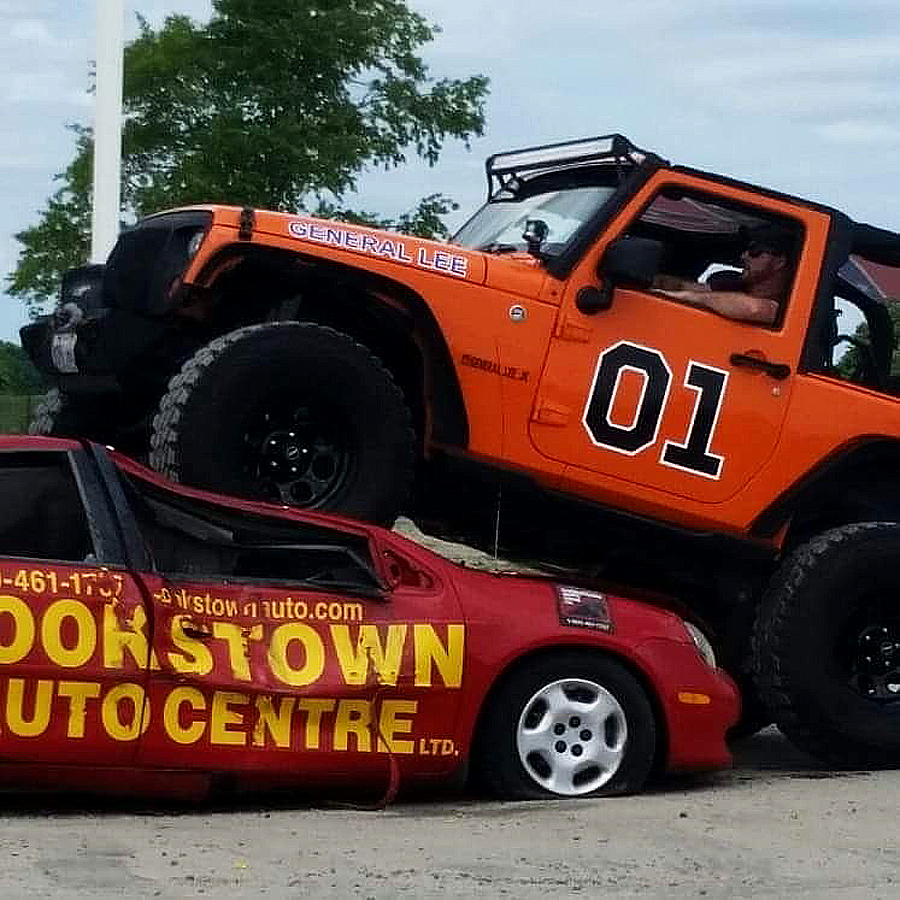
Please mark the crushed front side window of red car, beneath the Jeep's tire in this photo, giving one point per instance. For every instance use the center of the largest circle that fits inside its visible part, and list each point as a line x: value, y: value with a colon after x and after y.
x: 202, y: 539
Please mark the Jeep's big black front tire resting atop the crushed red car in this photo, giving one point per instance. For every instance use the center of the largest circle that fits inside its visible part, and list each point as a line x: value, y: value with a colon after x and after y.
x: 292, y: 412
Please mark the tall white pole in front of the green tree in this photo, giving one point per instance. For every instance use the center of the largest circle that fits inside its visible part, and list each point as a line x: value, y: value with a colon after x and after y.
x: 107, y: 128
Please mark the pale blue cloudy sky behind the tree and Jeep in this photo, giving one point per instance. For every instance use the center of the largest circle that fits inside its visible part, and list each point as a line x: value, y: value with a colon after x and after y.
x: 797, y: 95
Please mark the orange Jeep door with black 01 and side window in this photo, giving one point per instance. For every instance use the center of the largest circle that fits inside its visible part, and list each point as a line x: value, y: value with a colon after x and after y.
x: 663, y: 394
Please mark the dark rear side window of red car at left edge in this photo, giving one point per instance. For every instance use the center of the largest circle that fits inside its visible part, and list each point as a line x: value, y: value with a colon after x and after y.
x: 42, y: 515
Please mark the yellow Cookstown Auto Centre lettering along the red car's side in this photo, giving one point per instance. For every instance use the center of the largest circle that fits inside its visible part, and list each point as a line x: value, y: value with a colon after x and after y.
x: 282, y: 657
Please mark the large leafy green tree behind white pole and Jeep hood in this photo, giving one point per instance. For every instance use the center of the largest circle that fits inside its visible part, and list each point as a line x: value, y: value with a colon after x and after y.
x: 279, y: 104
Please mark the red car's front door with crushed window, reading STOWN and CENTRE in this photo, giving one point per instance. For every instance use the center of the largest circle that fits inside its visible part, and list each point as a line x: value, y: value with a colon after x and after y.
x: 281, y: 648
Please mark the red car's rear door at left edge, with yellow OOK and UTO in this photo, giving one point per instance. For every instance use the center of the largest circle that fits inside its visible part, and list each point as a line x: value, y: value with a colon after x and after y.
x: 74, y: 646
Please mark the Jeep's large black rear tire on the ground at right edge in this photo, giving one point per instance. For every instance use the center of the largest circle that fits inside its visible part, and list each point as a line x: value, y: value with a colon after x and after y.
x: 830, y: 600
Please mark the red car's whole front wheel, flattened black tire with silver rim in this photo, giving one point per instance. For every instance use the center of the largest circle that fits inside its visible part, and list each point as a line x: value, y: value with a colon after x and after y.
x: 568, y: 725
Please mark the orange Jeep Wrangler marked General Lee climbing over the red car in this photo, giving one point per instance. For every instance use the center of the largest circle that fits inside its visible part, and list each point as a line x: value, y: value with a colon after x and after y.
x: 536, y: 386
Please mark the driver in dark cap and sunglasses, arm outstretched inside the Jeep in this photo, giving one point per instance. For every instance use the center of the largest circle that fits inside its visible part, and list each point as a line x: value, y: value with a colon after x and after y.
x: 752, y: 295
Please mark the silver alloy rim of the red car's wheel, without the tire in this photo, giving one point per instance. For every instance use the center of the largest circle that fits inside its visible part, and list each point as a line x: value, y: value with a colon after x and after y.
x: 571, y: 736
